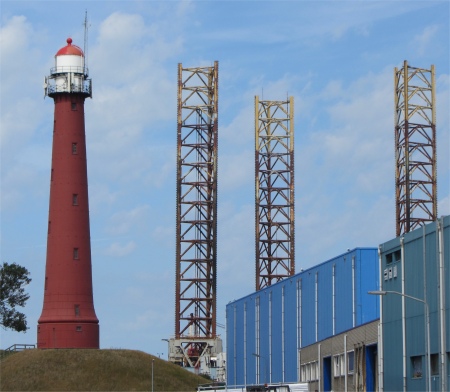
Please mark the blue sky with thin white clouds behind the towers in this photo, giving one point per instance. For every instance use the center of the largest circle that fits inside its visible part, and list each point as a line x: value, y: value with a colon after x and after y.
x: 335, y: 57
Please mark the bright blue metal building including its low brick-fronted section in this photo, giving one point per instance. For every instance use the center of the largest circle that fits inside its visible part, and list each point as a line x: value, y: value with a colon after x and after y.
x: 272, y: 333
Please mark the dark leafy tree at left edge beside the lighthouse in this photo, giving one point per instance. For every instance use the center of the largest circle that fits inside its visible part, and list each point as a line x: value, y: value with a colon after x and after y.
x: 13, y: 278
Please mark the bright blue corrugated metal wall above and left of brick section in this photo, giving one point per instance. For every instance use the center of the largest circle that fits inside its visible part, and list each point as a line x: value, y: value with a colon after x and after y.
x: 311, y: 306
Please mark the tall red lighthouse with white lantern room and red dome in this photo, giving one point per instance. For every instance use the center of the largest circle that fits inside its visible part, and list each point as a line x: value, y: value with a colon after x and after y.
x: 68, y: 318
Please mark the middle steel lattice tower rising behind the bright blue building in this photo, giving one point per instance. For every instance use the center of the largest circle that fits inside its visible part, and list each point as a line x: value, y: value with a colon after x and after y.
x: 274, y: 183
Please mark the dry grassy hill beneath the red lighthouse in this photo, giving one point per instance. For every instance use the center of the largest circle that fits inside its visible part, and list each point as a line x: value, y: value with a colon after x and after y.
x: 92, y: 370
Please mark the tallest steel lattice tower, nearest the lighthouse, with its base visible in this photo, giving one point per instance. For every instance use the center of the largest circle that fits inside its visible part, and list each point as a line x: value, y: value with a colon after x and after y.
x: 196, y: 237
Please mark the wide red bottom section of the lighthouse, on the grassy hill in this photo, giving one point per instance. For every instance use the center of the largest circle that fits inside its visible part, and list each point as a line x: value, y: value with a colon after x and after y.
x: 68, y: 335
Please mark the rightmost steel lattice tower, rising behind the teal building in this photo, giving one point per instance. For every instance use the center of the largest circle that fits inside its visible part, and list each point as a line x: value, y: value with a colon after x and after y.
x: 415, y: 147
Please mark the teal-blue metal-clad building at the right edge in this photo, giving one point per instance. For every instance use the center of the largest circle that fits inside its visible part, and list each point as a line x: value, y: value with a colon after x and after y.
x: 415, y: 274
